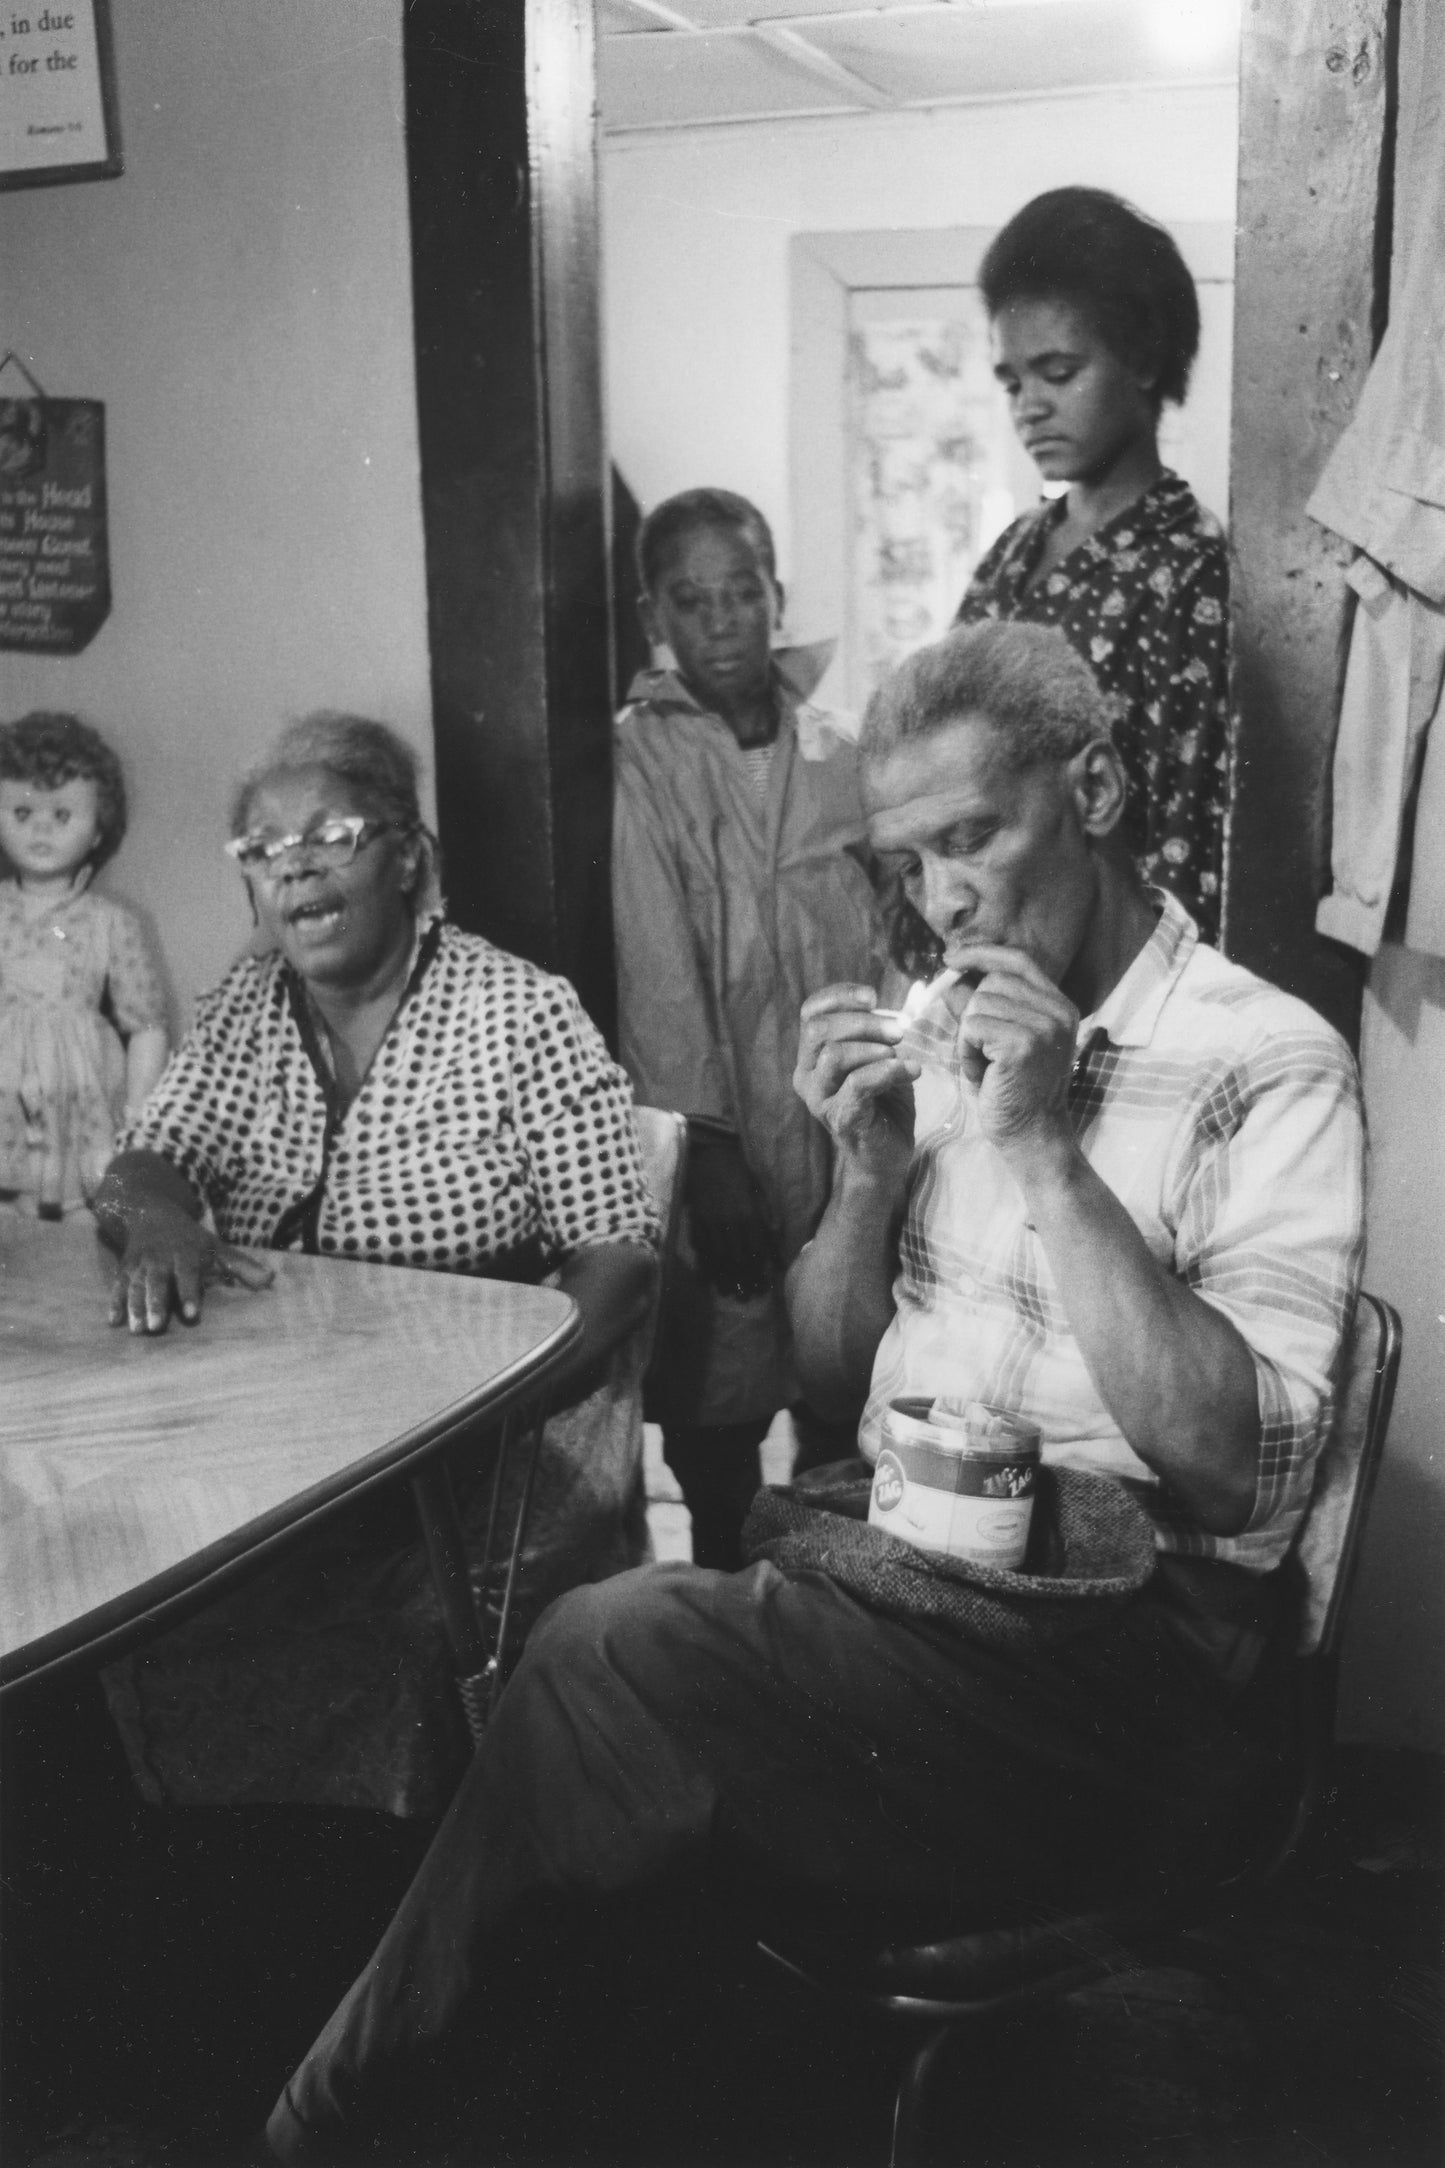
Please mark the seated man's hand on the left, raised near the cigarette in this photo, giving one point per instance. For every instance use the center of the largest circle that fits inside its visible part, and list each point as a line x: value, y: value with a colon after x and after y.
x: 855, y: 1081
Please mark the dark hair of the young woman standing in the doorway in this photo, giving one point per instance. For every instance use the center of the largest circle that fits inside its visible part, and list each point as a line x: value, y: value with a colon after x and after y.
x: 1117, y: 268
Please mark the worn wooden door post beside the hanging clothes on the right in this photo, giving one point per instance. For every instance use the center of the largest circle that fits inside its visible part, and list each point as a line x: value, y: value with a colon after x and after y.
x: 1310, y: 307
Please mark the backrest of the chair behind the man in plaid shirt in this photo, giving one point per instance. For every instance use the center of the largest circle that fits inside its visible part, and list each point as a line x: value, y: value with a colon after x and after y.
x: 1329, y: 1540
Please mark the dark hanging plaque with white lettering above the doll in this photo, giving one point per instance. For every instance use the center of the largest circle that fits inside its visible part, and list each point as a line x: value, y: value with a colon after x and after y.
x: 55, y: 552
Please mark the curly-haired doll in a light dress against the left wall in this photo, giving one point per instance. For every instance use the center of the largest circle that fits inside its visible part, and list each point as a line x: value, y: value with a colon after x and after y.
x: 70, y: 962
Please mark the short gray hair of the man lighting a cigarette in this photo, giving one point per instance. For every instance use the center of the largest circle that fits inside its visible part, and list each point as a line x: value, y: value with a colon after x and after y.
x: 1024, y: 680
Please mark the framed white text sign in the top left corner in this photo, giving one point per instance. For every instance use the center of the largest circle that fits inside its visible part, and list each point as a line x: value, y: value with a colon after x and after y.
x: 57, y: 92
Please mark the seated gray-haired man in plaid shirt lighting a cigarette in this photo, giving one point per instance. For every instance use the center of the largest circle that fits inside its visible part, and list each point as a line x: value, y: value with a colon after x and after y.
x: 1104, y: 1180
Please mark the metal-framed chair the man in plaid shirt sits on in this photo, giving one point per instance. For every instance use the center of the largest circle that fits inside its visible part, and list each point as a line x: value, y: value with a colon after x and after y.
x: 956, y: 1980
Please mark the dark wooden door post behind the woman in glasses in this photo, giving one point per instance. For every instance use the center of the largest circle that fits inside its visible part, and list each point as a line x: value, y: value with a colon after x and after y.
x: 502, y: 155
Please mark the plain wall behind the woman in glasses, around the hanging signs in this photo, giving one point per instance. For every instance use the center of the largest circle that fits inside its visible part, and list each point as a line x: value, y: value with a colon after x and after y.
x: 242, y: 302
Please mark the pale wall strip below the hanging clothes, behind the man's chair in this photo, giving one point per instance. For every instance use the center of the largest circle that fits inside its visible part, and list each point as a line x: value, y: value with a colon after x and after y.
x: 1394, y: 1673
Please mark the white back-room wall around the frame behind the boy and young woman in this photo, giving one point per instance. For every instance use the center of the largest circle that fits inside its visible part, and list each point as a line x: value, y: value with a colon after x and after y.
x: 697, y: 231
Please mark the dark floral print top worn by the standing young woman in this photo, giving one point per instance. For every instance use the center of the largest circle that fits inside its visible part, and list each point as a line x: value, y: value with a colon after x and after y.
x: 1145, y: 602
